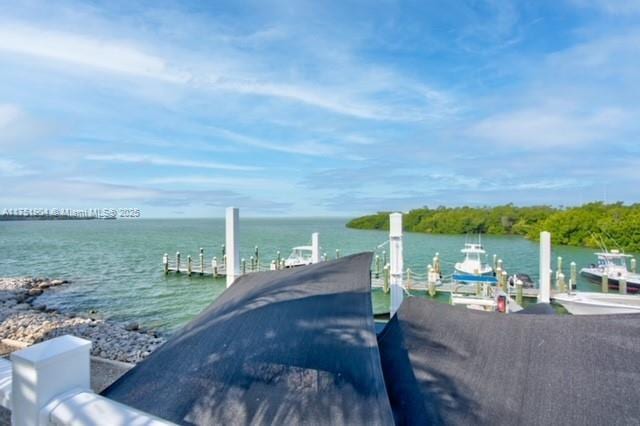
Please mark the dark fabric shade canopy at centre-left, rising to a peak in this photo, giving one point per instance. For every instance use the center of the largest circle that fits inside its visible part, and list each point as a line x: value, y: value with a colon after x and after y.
x: 284, y: 347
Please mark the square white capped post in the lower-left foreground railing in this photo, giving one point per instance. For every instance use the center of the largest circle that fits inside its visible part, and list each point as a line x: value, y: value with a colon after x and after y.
x: 44, y: 371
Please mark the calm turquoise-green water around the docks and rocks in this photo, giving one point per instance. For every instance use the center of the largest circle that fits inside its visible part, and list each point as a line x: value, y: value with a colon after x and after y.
x: 116, y: 265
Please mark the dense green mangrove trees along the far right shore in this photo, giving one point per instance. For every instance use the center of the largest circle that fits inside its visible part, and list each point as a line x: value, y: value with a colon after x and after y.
x: 618, y: 225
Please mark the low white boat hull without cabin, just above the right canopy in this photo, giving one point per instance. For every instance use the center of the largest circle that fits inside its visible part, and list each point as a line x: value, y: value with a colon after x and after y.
x: 587, y: 303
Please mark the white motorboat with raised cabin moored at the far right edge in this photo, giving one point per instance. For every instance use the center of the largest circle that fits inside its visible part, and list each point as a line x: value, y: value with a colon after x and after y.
x: 614, y: 265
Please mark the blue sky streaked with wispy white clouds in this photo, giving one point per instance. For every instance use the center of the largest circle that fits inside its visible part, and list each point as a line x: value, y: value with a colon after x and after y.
x: 295, y: 108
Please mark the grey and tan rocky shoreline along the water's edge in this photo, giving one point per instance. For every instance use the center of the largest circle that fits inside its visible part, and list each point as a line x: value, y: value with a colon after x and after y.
x: 24, y: 320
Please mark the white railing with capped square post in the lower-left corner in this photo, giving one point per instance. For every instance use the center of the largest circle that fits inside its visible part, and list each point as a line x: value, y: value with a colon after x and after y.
x: 49, y: 384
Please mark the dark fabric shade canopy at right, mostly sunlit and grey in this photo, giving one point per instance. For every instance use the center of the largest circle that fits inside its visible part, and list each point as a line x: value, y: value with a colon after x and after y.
x: 451, y: 365
